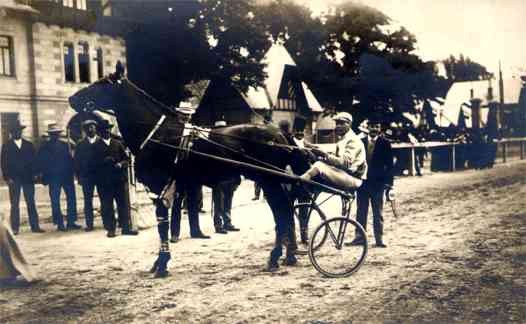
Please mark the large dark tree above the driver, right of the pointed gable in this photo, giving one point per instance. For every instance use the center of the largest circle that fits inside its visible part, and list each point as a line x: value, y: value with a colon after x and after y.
x: 377, y: 66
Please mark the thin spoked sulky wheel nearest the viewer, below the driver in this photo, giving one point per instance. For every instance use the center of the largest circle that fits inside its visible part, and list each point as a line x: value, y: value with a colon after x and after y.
x: 331, y: 251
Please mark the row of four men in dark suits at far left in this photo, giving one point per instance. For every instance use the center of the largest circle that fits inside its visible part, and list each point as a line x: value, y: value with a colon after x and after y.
x: 98, y: 161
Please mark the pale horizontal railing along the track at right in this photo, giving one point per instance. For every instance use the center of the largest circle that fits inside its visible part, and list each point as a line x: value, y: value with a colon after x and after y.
x: 506, y: 149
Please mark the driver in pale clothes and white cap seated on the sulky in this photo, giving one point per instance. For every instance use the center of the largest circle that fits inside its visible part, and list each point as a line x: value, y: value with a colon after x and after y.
x: 347, y: 168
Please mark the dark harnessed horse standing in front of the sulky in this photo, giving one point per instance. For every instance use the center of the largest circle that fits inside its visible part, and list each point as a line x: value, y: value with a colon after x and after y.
x: 137, y: 114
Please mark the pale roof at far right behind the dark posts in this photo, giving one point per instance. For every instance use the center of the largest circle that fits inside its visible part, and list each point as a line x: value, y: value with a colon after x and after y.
x: 459, y: 95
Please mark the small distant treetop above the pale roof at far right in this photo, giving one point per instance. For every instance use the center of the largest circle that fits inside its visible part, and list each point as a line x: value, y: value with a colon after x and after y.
x: 464, y: 69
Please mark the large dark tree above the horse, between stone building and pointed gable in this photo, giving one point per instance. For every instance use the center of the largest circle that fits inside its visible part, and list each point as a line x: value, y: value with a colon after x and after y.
x: 180, y: 42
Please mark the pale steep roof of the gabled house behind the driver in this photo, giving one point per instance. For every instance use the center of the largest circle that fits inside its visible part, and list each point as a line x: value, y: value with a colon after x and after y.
x: 276, y: 59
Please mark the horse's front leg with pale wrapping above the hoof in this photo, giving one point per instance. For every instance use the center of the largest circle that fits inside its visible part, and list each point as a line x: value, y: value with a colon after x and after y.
x: 161, y: 264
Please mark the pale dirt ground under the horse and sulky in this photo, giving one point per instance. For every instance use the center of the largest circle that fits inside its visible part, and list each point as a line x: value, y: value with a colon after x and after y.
x: 457, y: 253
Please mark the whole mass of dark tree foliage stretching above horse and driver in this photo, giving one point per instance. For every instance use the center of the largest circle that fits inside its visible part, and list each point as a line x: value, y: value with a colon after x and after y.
x: 347, y: 54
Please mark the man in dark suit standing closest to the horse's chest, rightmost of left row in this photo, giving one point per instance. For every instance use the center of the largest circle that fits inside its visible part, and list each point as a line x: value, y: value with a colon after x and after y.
x: 112, y: 179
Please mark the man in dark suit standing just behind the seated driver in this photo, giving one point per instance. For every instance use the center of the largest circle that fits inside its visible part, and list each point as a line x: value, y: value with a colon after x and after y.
x: 379, y: 179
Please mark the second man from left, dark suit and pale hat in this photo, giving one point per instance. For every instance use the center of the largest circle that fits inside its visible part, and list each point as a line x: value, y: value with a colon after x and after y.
x: 56, y: 165
